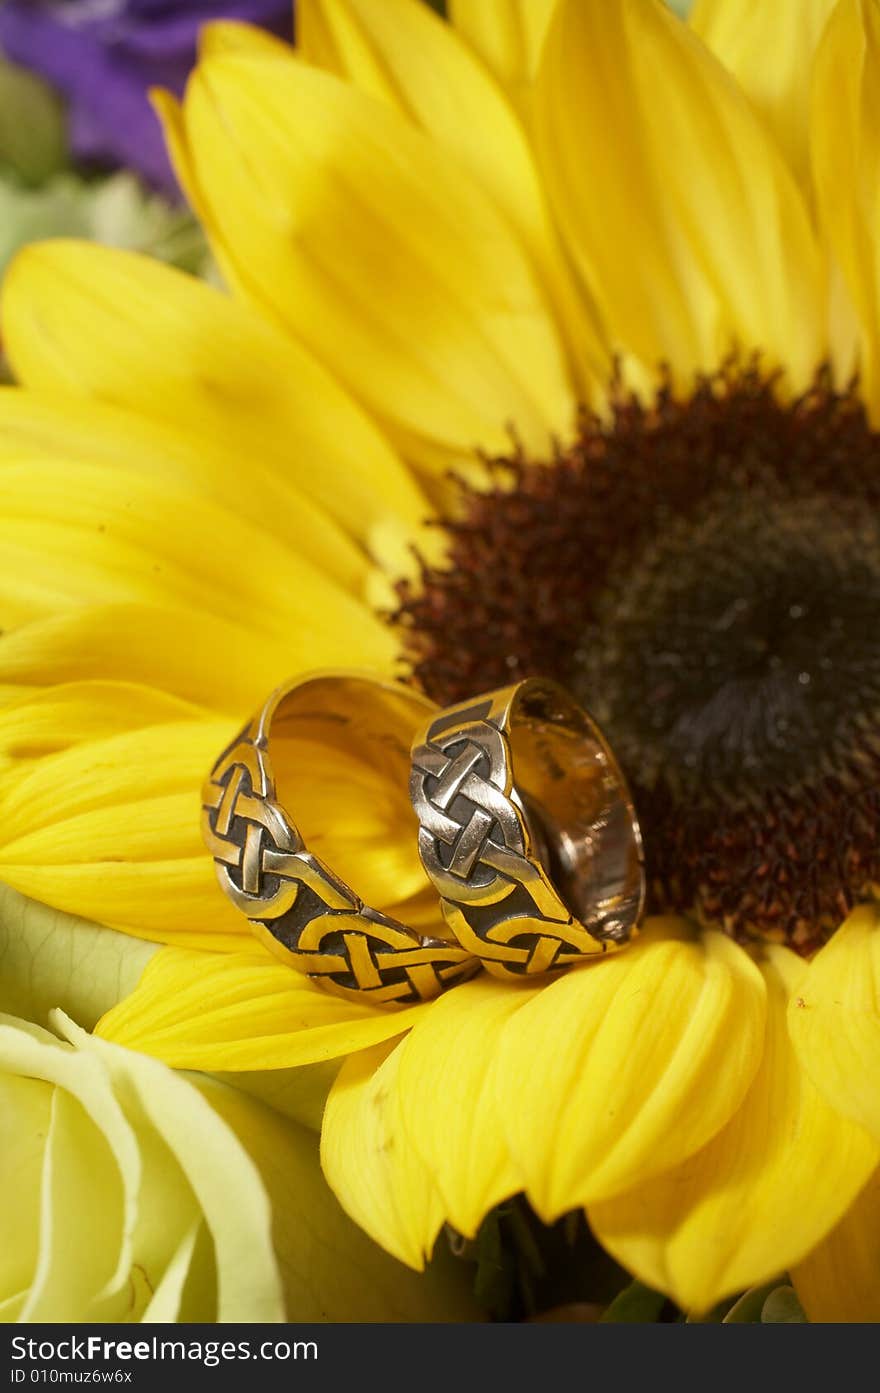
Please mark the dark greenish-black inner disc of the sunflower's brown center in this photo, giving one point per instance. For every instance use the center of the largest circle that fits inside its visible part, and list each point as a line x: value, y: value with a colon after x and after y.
x: 739, y: 651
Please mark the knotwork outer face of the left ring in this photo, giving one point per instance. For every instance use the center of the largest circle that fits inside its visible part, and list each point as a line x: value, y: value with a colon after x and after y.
x: 297, y: 908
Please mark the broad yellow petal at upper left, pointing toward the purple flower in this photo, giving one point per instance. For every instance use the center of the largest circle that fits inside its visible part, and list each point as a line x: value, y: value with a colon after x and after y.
x: 378, y: 250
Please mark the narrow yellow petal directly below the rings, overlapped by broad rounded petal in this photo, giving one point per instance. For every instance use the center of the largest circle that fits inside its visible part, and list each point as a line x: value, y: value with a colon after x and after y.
x: 449, y: 1105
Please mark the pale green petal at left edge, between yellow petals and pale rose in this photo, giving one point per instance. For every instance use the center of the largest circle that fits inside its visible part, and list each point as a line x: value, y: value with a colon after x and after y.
x: 49, y: 959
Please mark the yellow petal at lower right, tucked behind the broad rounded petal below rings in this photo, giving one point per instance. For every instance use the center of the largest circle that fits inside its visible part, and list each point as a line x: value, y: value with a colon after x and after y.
x: 761, y: 1194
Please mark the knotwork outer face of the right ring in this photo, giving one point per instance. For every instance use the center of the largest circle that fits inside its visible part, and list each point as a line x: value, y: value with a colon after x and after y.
x: 477, y: 848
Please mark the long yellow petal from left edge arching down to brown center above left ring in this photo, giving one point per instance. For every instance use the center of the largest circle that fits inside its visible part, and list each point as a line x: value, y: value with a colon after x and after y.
x: 81, y: 534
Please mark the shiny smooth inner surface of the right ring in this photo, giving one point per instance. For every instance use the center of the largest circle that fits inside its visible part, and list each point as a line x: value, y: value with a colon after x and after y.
x: 579, y: 811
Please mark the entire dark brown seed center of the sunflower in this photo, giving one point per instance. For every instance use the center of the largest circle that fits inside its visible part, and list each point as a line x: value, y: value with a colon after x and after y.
x: 705, y: 576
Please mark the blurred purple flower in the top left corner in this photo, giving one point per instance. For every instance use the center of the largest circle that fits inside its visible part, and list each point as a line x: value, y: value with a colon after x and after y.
x: 105, y: 55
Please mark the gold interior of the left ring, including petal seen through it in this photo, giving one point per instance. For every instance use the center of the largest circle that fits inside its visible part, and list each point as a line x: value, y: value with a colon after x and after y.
x: 340, y: 757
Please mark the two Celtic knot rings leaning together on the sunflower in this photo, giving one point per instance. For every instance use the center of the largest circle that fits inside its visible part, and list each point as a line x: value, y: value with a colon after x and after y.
x: 527, y: 832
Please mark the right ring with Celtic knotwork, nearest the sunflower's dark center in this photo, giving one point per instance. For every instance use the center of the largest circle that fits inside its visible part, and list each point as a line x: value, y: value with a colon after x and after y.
x: 527, y: 830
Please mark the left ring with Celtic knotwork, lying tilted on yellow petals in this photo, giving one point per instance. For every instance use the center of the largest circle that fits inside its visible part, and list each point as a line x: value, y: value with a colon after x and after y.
x: 299, y: 909
